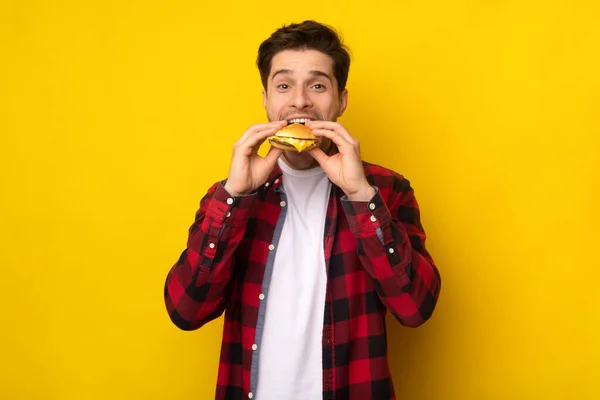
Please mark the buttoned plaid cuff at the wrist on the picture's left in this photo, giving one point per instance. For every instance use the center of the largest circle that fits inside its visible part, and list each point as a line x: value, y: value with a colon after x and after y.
x: 233, y: 209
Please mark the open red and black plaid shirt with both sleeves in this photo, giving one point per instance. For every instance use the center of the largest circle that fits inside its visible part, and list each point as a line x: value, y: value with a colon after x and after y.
x: 376, y: 261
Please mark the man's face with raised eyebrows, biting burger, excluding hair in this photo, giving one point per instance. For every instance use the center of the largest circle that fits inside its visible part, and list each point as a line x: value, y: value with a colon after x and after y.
x: 301, y: 84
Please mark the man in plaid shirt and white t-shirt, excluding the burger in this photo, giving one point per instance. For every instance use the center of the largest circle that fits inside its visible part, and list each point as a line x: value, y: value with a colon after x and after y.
x: 305, y: 252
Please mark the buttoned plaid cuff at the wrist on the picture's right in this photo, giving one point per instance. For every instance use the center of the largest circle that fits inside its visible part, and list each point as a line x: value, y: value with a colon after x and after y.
x: 367, y: 216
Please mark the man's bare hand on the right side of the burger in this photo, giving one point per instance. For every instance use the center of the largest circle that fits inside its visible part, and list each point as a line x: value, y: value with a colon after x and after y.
x: 345, y: 168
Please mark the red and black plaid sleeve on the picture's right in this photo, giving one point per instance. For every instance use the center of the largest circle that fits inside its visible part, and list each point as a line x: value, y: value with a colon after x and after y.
x: 391, y: 247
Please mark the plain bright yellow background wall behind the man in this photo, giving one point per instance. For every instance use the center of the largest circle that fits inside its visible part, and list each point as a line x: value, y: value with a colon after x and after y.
x: 116, y: 116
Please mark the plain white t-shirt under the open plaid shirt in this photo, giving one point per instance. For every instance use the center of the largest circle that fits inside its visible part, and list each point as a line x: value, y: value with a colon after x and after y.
x: 290, y: 358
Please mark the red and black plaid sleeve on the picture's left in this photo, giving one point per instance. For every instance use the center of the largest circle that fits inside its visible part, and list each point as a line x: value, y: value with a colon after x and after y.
x: 198, y: 286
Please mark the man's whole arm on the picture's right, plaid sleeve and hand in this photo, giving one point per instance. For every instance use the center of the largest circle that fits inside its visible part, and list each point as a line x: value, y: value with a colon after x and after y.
x: 391, y: 241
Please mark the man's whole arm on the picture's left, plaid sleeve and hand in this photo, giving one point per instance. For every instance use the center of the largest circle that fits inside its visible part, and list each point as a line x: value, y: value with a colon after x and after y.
x: 198, y: 286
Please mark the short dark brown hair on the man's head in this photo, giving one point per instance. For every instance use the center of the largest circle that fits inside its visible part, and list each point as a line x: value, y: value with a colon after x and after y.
x: 308, y: 35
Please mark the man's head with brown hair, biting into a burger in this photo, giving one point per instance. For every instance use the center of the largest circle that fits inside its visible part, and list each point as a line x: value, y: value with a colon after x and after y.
x: 304, y: 69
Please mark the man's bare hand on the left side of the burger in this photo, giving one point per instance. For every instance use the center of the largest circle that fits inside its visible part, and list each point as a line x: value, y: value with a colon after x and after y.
x: 249, y: 170
